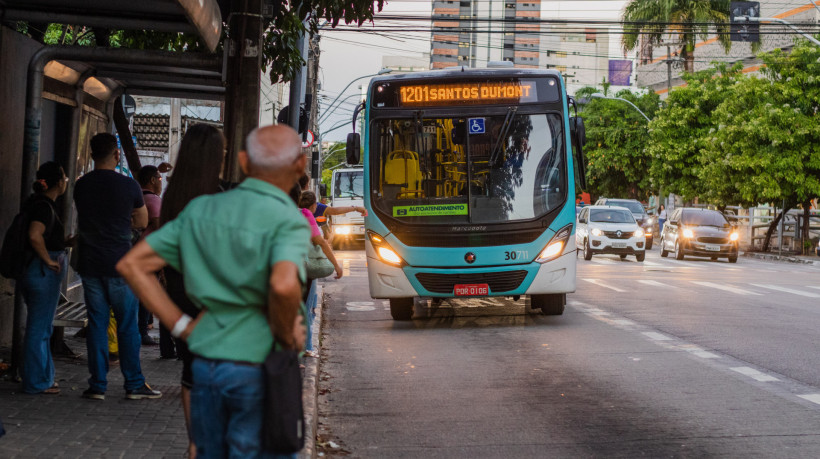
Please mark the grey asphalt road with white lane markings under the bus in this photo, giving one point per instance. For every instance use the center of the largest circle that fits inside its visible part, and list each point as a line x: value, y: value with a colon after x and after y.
x: 663, y: 358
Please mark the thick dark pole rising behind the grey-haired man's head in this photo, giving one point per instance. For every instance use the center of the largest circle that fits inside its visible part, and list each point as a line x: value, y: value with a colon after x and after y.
x: 243, y: 79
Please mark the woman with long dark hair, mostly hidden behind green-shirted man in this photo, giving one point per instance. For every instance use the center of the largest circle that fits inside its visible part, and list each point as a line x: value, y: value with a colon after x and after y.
x: 196, y: 173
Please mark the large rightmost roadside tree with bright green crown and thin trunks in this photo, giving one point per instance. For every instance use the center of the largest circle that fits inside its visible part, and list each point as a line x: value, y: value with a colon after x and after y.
x: 765, y: 146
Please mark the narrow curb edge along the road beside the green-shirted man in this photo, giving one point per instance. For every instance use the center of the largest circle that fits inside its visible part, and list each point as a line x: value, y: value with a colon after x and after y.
x: 310, y: 381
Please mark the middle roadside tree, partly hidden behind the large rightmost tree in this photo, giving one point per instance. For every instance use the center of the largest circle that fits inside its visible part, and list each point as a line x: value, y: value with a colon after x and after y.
x: 681, y: 130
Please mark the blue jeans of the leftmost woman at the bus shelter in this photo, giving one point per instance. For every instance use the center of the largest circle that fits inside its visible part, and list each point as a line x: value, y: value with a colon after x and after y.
x: 41, y: 292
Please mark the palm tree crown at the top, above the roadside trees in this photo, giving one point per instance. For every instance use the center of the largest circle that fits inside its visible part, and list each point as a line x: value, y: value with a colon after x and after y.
x: 689, y: 19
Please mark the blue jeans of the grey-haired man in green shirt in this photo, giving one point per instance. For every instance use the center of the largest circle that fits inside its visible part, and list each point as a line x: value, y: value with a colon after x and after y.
x: 227, y: 408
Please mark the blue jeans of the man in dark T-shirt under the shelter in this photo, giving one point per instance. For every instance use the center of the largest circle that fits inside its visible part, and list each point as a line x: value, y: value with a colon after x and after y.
x: 102, y: 295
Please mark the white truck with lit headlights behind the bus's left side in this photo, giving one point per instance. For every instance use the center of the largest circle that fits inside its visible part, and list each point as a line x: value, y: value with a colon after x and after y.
x: 347, y: 190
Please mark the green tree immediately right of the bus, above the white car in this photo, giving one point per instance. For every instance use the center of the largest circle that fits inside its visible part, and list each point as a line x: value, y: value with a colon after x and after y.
x: 617, y: 137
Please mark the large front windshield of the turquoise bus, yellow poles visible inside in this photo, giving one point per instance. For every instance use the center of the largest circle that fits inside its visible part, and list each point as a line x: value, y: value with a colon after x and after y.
x: 494, y: 168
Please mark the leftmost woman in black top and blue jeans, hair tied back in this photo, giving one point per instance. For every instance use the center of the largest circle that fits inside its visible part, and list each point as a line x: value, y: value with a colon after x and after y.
x: 40, y: 282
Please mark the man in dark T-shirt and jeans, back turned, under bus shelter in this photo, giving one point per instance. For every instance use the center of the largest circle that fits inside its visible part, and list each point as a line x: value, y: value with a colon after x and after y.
x: 109, y: 205
